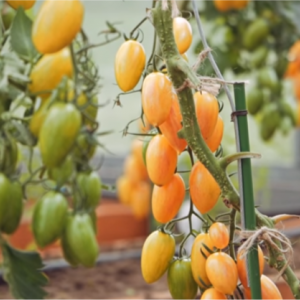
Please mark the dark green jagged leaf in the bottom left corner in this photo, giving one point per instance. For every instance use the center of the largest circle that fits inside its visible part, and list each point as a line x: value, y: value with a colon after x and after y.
x: 22, y: 272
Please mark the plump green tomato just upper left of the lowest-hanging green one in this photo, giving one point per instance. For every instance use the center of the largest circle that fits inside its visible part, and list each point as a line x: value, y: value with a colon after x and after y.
x: 52, y: 206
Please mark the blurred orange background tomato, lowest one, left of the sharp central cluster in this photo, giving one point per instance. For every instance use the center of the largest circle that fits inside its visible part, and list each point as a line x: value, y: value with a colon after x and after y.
x: 140, y: 200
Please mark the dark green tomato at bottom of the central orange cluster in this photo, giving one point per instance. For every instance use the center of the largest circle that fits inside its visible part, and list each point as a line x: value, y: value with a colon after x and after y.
x: 180, y: 280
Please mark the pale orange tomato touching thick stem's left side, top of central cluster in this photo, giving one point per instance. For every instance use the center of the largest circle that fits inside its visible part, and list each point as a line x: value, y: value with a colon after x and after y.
x: 157, y: 98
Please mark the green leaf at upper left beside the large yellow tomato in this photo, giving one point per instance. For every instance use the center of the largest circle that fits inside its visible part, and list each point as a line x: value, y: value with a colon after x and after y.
x: 21, y: 36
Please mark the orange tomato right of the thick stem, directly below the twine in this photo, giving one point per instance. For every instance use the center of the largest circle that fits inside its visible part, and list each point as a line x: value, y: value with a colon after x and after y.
x: 207, y: 111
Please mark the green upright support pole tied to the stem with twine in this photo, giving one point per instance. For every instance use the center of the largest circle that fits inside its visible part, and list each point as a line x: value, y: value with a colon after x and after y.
x: 247, y: 205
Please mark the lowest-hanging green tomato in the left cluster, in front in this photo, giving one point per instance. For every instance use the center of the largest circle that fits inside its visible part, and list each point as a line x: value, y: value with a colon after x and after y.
x: 80, y: 236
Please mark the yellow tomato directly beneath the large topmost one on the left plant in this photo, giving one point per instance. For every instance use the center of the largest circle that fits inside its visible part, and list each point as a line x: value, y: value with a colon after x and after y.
x: 49, y: 71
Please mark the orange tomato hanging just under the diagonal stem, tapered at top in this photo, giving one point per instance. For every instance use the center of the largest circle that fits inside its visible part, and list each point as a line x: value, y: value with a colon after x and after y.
x: 204, y: 189
